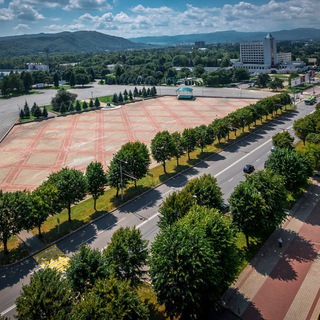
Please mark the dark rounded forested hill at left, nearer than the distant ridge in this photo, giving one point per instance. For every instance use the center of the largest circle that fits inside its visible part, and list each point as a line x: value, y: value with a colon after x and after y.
x: 64, y: 42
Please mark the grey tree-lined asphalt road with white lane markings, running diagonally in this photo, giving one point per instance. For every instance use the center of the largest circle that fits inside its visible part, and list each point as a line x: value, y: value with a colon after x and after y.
x: 142, y: 212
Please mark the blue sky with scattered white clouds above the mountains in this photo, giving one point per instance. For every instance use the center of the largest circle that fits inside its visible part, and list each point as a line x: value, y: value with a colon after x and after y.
x: 137, y: 18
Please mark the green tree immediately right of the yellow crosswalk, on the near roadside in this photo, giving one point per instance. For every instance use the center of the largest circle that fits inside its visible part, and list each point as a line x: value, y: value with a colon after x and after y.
x: 86, y: 266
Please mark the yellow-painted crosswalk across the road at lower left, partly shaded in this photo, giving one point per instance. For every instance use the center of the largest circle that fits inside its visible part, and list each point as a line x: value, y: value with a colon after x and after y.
x: 53, y: 258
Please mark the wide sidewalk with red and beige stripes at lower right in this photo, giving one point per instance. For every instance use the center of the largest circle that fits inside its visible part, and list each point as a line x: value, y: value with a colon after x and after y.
x: 283, y: 283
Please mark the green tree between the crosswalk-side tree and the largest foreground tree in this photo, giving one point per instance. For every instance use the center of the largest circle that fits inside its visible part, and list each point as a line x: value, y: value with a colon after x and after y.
x: 127, y: 254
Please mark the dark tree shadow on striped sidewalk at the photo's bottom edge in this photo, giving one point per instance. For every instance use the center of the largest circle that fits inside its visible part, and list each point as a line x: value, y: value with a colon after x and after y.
x: 234, y: 305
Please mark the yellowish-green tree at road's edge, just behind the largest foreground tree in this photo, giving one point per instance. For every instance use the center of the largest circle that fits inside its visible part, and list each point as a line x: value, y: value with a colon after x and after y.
x: 174, y: 207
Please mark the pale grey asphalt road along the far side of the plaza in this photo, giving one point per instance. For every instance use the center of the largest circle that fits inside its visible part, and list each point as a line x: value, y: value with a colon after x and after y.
x: 10, y: 108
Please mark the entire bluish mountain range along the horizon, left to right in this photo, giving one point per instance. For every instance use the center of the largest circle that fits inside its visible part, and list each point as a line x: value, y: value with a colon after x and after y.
x: 92, y: 41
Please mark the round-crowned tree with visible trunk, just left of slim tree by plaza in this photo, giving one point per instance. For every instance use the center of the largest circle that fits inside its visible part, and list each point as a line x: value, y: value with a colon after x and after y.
x: 71, y: 185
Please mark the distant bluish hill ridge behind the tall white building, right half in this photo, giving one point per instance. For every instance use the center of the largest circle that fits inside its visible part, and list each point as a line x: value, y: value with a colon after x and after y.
x: 230, y: 36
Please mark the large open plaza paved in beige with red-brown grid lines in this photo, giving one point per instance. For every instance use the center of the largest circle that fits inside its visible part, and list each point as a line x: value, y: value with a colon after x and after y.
x: 32, y: 151
